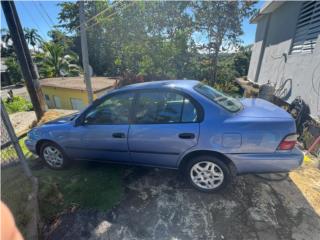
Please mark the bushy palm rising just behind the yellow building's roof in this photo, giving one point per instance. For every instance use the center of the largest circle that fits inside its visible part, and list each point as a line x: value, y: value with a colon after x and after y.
x: 53, y: 62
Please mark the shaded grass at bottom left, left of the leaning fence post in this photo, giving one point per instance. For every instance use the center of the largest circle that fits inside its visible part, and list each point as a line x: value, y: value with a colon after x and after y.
x: 15, y: 188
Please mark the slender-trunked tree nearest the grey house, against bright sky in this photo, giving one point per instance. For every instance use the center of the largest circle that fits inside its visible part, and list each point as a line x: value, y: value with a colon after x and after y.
x: 220, y: 23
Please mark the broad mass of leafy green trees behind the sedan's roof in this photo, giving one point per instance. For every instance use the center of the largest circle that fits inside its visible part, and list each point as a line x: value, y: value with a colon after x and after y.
x: 155, y: 39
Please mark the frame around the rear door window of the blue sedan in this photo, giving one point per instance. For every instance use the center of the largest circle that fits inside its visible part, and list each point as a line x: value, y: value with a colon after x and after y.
x: 197, y: 105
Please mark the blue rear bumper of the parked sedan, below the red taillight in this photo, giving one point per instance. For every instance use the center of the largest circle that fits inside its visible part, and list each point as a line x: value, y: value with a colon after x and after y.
x: 267, y: 162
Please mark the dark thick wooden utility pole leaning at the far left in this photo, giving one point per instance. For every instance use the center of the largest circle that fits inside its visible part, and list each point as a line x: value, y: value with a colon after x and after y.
x: 23, y: 54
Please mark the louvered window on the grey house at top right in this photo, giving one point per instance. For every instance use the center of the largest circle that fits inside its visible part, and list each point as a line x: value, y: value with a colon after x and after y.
x: 307, y: 29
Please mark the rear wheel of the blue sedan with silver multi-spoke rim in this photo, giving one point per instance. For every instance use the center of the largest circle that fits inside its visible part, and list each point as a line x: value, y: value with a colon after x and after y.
x: 208, y: 173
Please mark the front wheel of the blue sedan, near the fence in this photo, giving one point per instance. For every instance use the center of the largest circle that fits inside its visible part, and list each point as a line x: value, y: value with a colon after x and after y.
x: 53, y: 156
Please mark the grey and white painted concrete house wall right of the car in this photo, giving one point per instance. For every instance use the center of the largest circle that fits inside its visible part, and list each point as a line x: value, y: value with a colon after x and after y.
x: 300, y: 72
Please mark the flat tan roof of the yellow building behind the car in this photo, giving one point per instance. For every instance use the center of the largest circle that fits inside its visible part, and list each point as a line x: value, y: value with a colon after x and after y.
x: 77, y: 83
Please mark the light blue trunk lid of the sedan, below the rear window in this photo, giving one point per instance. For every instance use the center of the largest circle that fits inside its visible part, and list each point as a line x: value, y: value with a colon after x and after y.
x: 259, y: 108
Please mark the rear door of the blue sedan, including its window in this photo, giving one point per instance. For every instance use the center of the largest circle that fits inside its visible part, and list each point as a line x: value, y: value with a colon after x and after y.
x: 165, y: 125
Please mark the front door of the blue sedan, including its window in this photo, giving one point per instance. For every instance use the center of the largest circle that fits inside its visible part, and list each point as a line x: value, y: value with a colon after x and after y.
x: 104, y: 131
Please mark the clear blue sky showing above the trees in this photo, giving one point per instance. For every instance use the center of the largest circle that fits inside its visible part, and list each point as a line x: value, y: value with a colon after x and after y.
x: 42, y: 15
